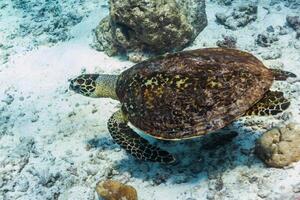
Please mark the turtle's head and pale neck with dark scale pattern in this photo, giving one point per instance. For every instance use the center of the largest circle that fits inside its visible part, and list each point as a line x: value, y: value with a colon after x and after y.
x: 95, y: 85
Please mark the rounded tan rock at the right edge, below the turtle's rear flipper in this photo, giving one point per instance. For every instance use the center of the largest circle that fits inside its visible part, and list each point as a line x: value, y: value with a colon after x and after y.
x: 280, y: 147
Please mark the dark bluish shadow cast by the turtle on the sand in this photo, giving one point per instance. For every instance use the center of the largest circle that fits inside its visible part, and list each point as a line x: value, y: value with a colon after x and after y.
x: 197, y: 159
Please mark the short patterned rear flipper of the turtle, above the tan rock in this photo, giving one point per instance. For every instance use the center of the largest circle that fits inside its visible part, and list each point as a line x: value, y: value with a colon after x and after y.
x: 272, y: 103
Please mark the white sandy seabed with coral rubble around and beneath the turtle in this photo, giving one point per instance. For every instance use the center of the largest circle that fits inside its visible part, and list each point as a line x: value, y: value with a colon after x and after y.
x: 54, y: 144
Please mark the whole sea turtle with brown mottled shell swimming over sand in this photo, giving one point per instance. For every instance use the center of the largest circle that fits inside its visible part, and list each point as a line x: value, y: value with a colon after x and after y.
x: 184, y: 95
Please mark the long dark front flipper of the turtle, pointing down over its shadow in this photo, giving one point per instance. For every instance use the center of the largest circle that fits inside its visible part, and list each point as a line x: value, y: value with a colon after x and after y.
x: 133, y: 143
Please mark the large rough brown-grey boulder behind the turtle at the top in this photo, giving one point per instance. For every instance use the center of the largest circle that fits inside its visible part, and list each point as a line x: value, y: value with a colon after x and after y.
x: 150, y: 26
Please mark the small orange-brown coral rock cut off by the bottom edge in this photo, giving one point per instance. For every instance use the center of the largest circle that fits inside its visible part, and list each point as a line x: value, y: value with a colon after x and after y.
x: 113, y: 190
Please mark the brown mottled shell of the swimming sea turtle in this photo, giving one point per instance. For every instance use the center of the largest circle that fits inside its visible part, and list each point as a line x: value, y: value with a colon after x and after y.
x: 191, y: 93
